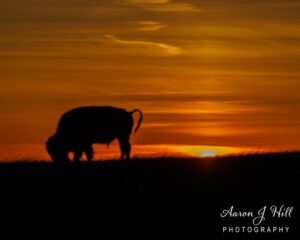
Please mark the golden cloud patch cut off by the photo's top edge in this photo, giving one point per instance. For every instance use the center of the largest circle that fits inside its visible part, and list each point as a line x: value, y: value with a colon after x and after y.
x: 164, y: 6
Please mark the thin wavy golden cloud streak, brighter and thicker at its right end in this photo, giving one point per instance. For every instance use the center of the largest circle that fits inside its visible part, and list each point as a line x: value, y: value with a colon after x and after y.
x: 164, y: 49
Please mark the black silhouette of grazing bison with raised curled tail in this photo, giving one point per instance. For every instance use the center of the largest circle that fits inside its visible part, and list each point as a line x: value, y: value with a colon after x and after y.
x: 81, y: 127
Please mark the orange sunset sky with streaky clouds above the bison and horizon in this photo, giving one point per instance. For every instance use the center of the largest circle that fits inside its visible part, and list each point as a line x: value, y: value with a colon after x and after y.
x: 205, y: 73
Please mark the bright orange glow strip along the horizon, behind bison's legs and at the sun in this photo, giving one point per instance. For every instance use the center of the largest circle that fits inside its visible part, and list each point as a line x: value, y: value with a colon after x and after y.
x: 37, y: 152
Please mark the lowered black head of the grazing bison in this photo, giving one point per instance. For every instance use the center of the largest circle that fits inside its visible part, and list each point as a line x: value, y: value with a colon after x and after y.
x: 57, y: 149
